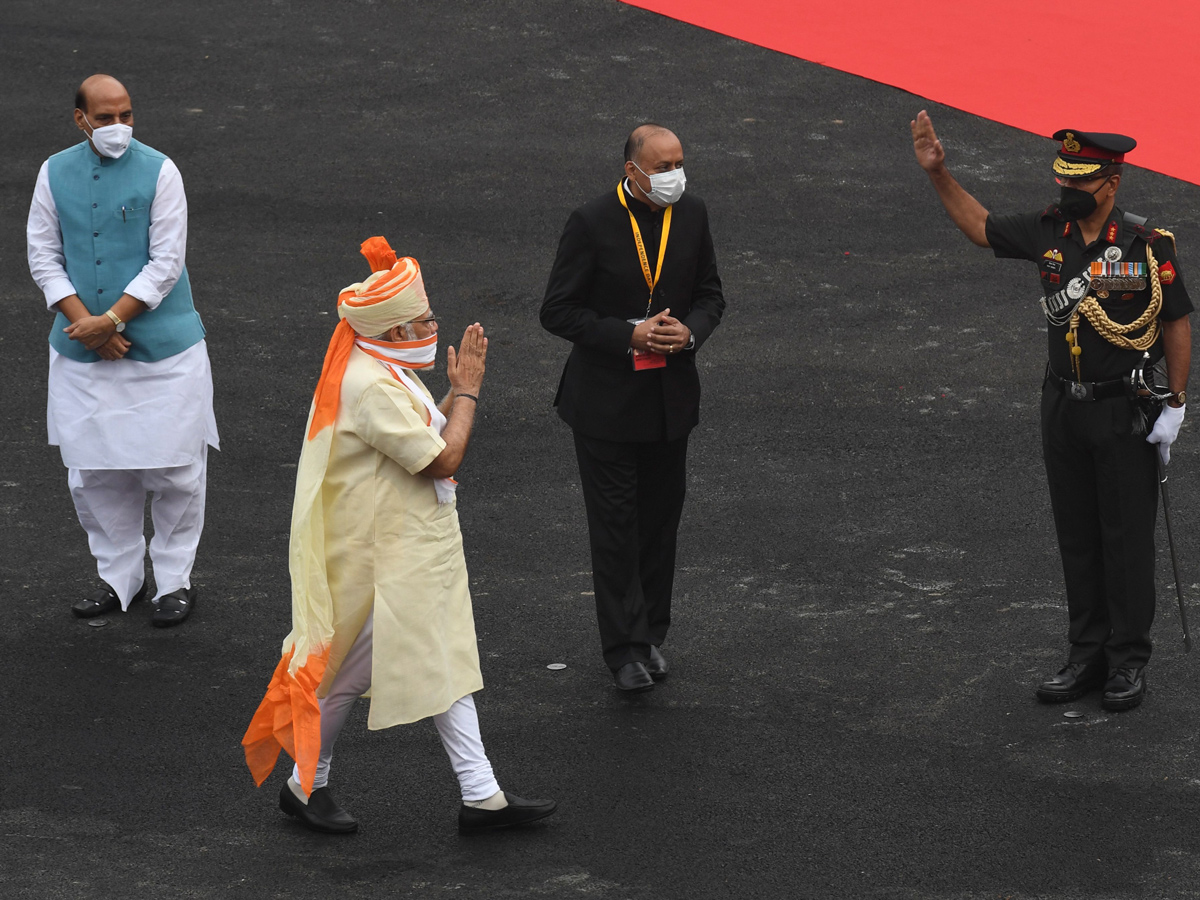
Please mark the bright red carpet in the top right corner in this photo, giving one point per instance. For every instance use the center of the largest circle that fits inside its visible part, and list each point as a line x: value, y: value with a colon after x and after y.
x: 1035, y: 65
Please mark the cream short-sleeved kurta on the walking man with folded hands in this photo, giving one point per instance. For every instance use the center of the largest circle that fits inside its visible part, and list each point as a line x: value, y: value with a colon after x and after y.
x: 392, y: 548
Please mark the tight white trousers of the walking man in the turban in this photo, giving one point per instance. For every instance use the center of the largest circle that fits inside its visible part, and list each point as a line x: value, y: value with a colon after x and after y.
x: 459, y: 727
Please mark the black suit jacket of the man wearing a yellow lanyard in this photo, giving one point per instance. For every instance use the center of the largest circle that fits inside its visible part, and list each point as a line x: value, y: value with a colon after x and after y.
x: 597, y: 286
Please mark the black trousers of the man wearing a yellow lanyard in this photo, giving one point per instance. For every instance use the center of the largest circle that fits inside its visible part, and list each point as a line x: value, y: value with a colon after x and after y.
x: 634, y: 495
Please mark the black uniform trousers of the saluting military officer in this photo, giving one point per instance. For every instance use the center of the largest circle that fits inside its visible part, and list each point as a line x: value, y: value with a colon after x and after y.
x: 1105, y: 493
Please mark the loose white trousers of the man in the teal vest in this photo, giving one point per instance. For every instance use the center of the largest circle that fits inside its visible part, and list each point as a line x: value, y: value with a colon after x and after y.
x: 111, y: 505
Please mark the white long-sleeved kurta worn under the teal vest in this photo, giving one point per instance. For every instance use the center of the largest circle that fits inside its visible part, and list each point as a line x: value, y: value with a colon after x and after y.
x: 124, y: 415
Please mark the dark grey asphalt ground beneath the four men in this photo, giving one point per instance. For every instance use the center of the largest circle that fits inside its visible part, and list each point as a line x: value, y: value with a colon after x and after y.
x: 868, y: 583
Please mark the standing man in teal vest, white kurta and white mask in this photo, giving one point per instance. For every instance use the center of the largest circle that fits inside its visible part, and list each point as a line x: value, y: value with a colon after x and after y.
x: 130, y: 401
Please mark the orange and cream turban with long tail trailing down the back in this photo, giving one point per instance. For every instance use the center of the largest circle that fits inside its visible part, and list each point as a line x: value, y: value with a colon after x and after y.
x: 290, y: 717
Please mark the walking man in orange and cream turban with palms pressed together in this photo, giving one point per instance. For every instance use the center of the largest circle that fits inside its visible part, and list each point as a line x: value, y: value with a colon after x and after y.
x: 380, y: 593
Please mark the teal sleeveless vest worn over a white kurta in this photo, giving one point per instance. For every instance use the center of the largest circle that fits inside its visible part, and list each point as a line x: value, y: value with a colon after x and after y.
x: 105, y: 217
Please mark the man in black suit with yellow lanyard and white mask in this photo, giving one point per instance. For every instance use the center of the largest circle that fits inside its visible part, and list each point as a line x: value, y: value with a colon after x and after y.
x: 635, y: 290
